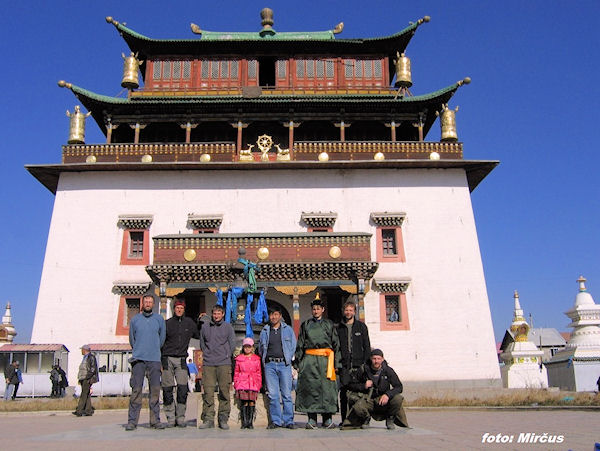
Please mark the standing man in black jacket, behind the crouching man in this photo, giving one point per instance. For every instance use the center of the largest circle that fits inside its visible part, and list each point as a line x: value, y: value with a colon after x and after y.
x: 355, y: 348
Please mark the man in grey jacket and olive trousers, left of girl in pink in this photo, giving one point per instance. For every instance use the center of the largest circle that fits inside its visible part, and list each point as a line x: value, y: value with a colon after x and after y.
x: 217, y: 341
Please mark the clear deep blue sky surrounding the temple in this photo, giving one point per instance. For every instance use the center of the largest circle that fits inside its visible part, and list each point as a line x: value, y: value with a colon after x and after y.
x: 533, y: 105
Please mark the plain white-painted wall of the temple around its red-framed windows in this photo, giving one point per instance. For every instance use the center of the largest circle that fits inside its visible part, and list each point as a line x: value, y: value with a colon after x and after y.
x: 450, y: 334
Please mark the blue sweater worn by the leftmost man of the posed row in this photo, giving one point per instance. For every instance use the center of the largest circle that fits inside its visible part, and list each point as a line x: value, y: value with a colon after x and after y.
x: 146, y: 336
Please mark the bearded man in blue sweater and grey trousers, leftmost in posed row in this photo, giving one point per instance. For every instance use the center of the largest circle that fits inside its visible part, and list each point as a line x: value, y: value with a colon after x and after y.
x: 147, y: 334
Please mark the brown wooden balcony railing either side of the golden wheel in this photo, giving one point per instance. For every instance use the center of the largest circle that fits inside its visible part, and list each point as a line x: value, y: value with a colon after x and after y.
x: 226, y: 151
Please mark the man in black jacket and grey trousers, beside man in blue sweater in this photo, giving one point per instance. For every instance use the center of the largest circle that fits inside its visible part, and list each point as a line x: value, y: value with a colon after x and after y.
x: 179, y: 330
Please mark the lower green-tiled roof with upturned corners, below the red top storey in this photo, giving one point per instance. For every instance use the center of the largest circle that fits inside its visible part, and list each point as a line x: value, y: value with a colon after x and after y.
x: 356, y: 106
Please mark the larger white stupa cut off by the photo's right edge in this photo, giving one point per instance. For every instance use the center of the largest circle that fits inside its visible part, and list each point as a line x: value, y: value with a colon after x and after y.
x: 577, y: 366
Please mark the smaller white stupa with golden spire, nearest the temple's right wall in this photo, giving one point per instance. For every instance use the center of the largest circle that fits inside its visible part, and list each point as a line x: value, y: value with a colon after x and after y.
x: 522, y: 359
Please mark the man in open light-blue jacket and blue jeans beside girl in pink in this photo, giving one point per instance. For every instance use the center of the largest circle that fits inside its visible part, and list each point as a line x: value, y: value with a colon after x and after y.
x: 277, y: 345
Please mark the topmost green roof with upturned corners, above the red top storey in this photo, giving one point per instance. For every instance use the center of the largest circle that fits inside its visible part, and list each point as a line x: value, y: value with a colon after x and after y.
x: 268, y: 42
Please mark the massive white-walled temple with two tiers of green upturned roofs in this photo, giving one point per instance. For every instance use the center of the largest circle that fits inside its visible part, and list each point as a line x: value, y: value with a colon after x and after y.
x: 273, y: 166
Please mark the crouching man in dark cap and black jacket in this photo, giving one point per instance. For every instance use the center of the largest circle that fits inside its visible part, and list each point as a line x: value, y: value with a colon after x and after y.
x: 377, y: 393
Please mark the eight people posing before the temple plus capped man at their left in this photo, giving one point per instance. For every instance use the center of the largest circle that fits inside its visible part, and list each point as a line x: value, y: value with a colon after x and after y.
x: 329, y: 359
